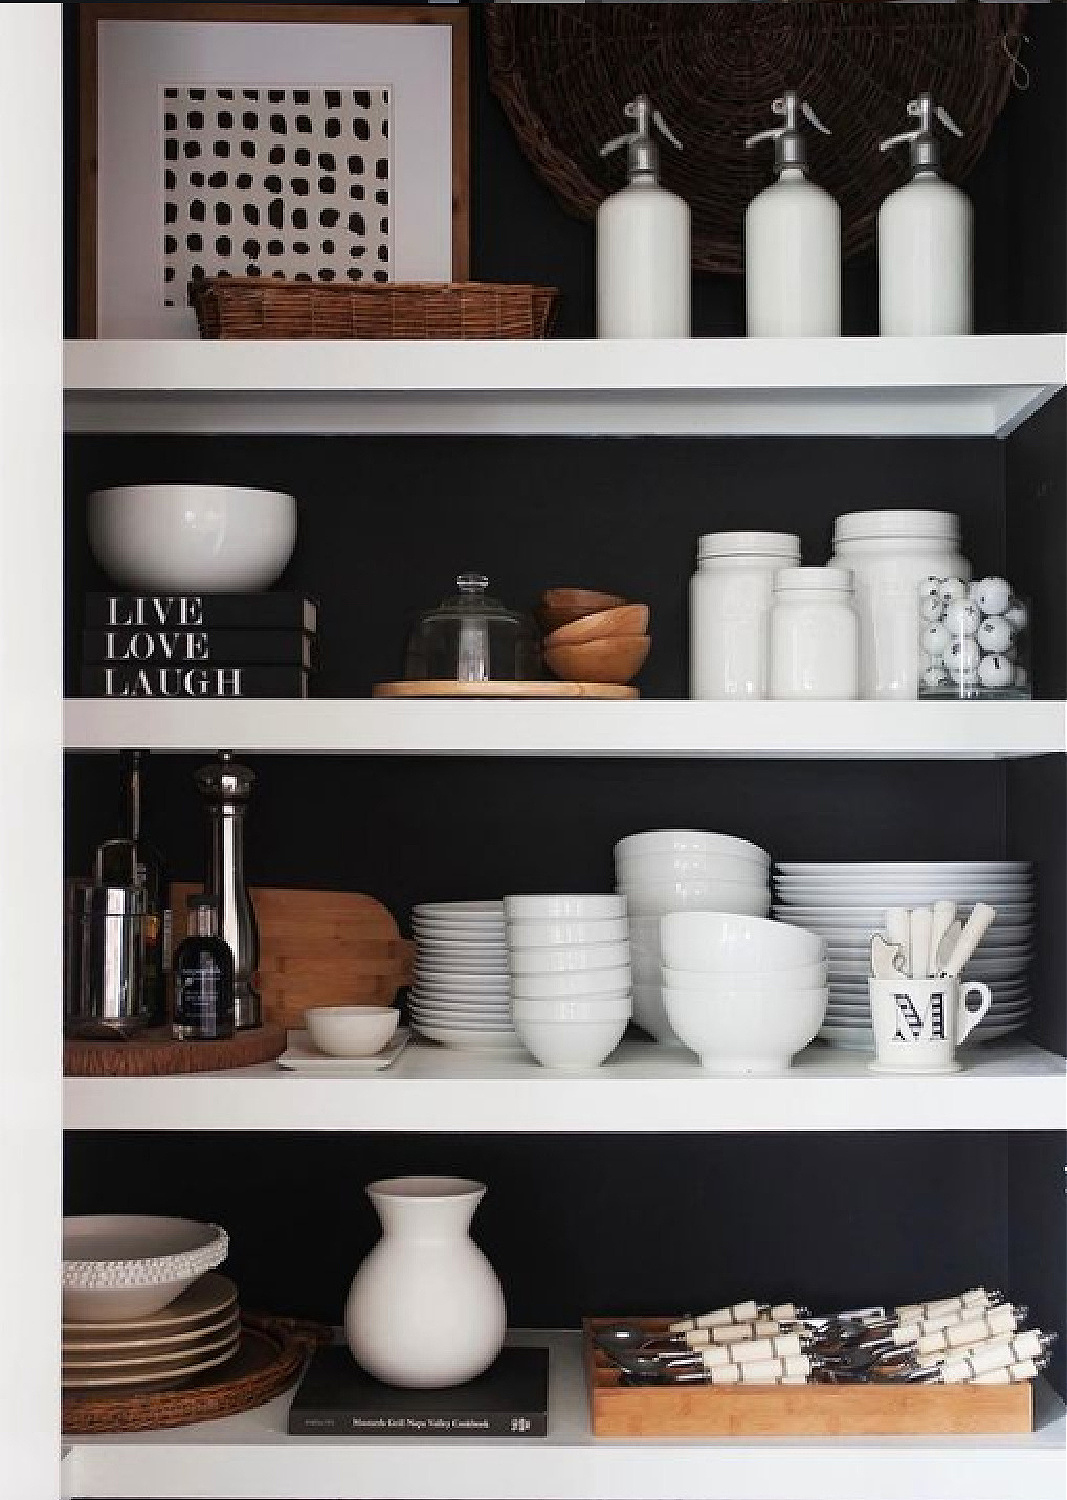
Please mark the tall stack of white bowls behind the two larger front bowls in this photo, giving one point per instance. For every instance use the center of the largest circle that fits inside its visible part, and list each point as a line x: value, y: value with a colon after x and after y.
x: 682, y: 871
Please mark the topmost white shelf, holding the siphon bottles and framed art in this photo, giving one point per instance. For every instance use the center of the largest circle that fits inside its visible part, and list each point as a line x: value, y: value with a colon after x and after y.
x: 867, y: 388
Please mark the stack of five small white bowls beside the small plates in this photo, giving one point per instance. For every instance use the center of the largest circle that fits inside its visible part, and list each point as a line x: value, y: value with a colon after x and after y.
x: 570, y: 961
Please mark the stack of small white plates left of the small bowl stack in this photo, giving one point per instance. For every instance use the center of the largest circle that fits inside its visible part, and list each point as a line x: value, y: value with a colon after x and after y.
x: 460, y: 995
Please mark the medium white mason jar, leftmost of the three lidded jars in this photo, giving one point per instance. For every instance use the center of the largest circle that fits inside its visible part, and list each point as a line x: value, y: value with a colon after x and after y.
x: 730, y: 604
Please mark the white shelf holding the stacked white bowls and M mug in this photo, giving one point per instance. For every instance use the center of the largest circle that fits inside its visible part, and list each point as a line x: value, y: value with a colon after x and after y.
x: 643, y: 1088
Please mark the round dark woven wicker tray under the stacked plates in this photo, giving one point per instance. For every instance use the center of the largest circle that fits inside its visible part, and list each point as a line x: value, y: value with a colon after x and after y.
x: 272, y: 1355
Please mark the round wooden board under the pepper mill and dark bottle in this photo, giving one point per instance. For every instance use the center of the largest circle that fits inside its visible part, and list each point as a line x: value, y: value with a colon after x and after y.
x: 155, y: 1054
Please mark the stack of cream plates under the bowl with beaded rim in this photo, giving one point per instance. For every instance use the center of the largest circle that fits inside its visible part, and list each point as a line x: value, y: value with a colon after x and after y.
x: 157, y: 1351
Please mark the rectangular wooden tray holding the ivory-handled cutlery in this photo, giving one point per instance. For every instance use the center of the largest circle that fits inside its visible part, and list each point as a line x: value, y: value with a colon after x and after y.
x: 619, y: 1411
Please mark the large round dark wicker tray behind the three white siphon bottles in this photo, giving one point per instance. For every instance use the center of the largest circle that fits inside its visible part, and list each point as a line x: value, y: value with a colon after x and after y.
x: 564, y: 74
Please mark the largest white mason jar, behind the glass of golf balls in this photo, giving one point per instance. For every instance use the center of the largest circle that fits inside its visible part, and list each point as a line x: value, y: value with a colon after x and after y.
x: 891, y: 553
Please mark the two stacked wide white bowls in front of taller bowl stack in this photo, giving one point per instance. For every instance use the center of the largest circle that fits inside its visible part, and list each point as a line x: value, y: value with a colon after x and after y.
x: 745, y: 994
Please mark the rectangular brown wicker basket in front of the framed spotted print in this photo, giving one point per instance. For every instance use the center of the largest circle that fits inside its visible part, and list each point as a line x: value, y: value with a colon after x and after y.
x: 263, y: 308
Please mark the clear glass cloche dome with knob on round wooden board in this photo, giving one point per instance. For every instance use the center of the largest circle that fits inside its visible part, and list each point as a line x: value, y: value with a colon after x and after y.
x: 473, y: 638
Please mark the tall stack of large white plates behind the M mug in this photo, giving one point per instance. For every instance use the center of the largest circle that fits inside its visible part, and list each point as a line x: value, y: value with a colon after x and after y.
x: 846, y: 904
